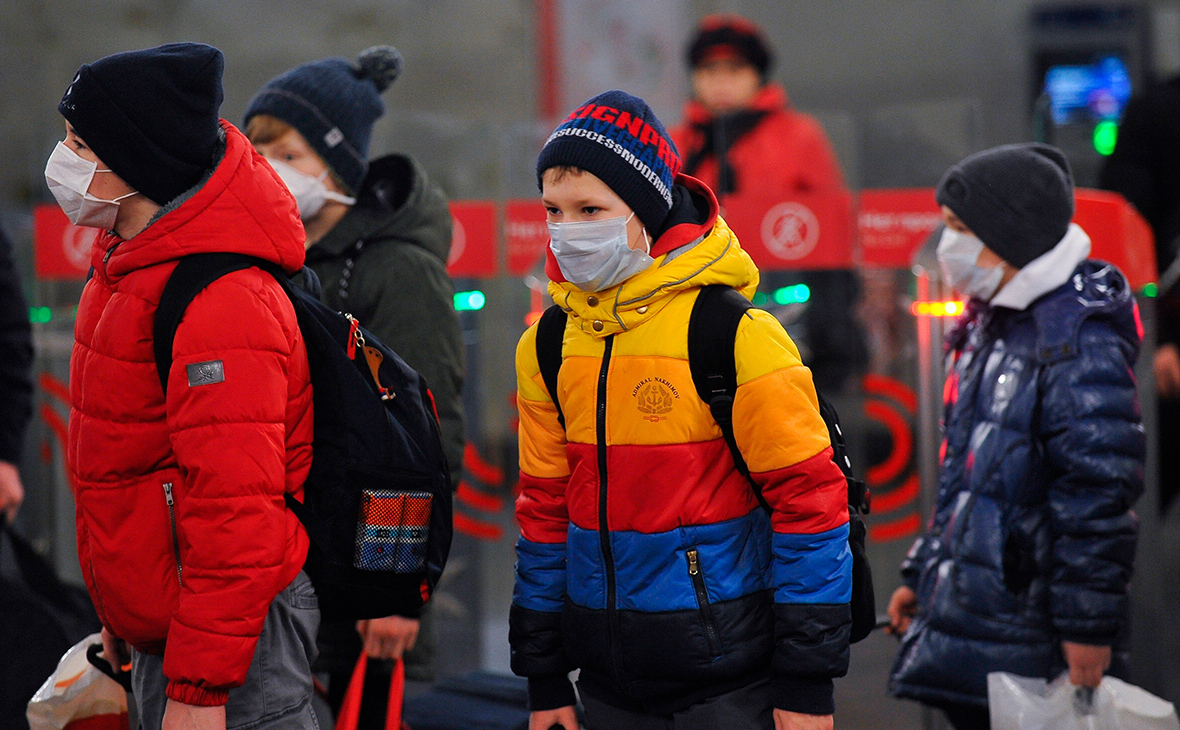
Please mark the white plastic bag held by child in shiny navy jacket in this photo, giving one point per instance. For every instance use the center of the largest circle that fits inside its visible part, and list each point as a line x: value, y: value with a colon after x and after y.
x: 1026, y: 703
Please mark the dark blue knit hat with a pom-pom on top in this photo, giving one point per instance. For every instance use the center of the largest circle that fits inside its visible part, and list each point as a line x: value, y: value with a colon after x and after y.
x: 335, y: 106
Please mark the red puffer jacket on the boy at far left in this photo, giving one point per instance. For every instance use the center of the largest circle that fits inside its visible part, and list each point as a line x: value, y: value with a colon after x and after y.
x: 182, y: 530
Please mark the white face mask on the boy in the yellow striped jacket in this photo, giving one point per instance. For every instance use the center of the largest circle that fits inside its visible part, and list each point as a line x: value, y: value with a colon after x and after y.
x: 594, y: 255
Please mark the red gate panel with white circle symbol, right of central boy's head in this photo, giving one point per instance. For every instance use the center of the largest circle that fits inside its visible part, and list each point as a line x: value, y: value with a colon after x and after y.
x: 809, y: 232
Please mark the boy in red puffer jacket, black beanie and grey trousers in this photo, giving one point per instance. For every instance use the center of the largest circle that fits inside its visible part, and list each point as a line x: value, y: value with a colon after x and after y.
x: 187, y: 545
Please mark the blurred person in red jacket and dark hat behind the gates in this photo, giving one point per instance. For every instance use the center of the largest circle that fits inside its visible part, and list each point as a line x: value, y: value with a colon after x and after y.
x: 742, y: 139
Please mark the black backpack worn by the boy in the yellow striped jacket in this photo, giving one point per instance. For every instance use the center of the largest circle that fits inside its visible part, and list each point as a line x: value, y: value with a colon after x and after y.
x: 712, y: 330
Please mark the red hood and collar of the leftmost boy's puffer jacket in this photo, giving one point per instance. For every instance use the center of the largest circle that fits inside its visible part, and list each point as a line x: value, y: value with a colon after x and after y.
x: 244, y: 208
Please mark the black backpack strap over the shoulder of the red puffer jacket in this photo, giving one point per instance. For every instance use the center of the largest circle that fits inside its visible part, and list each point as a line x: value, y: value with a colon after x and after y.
x: 191, y: 277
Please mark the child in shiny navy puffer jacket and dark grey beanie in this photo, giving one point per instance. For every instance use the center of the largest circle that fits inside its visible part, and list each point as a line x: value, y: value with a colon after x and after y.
x: 1026, y: 563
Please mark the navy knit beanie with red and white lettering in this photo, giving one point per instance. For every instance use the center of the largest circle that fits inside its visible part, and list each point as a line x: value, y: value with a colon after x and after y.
x: 618, y: 139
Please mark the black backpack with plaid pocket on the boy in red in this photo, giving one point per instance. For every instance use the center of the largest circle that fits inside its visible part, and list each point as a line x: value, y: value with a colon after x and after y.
x: 377, y: 503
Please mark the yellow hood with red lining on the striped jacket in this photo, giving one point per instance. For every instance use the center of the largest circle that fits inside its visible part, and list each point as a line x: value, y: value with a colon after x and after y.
x: 691, y: 254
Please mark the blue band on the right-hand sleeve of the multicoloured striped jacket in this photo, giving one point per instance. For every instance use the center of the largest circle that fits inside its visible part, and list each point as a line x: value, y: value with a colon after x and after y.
x: 814, y: 569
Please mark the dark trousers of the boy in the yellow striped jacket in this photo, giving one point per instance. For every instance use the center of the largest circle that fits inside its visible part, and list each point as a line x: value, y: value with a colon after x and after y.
x: 749, y: 708
